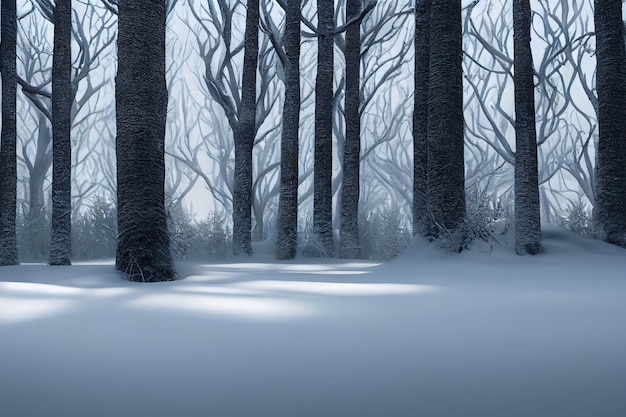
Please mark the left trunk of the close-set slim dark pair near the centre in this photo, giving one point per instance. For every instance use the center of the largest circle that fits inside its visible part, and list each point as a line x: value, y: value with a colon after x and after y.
x: 323, y: 173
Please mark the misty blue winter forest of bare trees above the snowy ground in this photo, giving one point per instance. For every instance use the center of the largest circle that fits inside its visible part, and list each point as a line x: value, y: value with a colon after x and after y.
x: 331, y: 157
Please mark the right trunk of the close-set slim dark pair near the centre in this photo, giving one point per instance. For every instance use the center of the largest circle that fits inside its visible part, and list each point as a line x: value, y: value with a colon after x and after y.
x: 349, y: 245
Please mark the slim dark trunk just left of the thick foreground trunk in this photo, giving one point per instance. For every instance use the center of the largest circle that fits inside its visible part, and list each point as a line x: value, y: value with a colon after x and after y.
x: 61, y: 227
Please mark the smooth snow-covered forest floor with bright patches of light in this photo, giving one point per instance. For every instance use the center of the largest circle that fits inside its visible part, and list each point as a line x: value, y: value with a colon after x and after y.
x: 484, y: 333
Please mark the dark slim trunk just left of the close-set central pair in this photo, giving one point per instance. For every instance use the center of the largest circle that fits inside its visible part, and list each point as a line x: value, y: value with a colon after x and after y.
x: 287, y: 239
